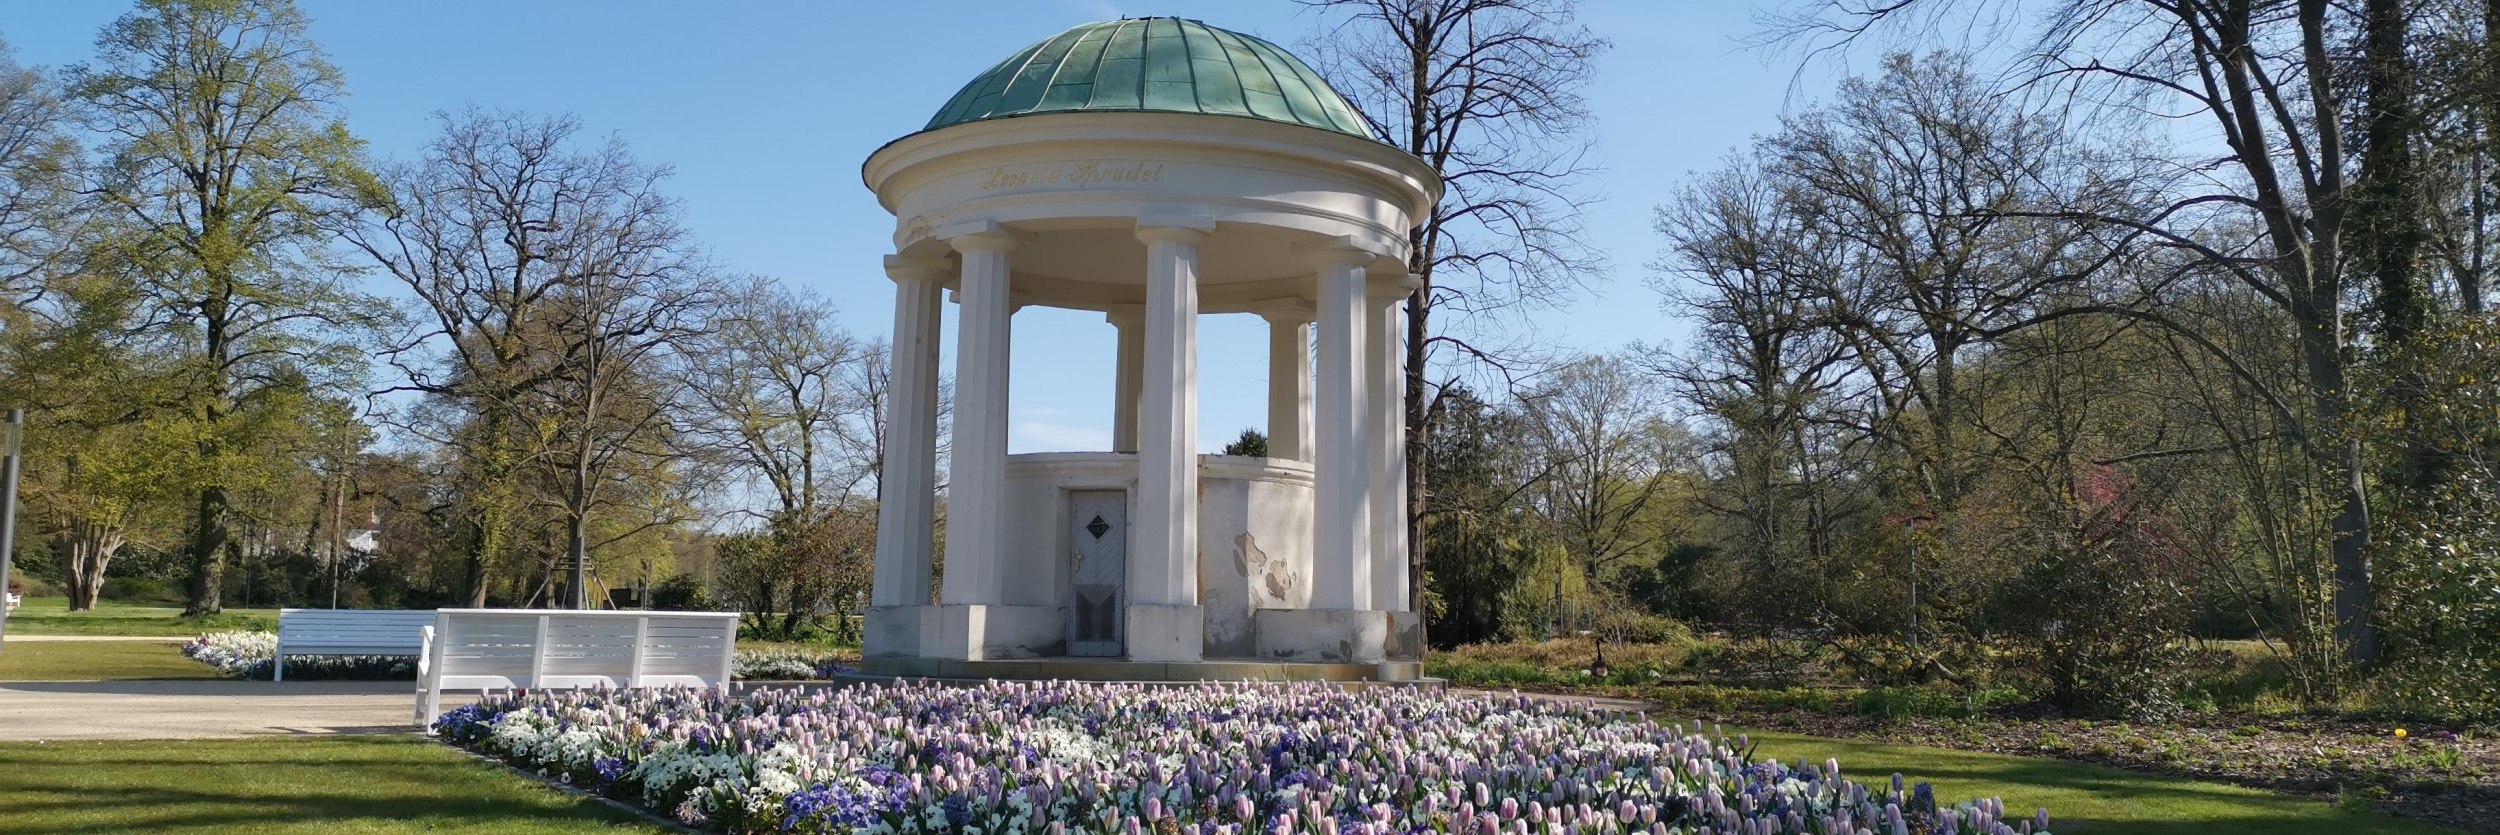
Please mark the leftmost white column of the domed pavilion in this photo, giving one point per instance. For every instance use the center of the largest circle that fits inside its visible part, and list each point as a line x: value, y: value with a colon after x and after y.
x: 906, y: 489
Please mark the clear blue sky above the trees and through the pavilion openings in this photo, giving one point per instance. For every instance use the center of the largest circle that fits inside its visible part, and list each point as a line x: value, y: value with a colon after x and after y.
x: 769, y: 109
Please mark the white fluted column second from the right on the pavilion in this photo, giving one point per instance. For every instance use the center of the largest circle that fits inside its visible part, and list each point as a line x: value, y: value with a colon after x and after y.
x: 1341, y: 454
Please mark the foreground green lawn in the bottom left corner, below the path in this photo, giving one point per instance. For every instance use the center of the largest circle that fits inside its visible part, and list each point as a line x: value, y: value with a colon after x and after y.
x: 379, y: 786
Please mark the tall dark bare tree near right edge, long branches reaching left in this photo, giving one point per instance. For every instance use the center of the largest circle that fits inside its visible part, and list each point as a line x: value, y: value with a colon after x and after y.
x: 2264, y: 76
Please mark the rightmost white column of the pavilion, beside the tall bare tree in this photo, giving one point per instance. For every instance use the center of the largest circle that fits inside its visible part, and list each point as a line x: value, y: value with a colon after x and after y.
x: 1386, y: 399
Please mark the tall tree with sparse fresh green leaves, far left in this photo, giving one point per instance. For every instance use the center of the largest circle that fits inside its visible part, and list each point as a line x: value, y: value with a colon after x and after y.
x: 224, y: 149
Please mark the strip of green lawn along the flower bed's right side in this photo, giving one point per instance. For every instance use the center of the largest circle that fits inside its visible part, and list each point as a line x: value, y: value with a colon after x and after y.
x: 2091, y: 799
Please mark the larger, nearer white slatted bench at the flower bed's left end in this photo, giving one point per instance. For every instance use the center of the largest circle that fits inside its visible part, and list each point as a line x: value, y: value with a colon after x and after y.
x: 569, y: 649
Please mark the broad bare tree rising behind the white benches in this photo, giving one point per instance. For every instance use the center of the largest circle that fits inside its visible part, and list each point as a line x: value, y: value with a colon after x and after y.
x: 501, y: 219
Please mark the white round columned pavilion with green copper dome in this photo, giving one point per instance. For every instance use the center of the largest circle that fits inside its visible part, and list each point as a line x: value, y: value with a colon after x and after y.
x: 1154, y: 171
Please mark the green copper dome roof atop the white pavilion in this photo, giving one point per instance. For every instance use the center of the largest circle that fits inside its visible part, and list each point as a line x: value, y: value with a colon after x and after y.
x: 1154, y: 66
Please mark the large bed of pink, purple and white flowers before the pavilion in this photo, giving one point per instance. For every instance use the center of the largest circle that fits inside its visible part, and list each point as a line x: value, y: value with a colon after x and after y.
x: 1211, y: 759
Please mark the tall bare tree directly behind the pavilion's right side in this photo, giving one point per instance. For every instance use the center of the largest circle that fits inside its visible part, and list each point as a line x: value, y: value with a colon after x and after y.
x: 1489, y: 94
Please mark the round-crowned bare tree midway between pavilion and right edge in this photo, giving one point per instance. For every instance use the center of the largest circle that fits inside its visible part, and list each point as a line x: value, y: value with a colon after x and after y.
x: 1896, y: 174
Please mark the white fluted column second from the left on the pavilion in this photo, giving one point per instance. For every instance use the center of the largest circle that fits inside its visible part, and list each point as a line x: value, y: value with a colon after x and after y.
x: 979, y: 471
